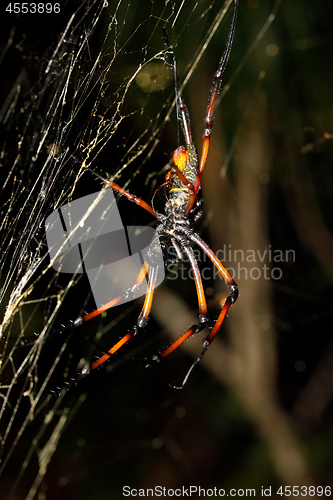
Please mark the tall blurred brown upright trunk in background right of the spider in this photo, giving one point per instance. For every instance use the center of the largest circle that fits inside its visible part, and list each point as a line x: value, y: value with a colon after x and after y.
x: 251, y: 330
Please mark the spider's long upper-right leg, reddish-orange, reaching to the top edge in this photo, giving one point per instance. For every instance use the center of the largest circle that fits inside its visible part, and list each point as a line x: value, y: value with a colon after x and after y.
x: 214, y: 92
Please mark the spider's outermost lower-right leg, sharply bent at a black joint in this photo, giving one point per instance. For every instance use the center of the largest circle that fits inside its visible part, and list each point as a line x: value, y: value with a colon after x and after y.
x: 231, y: 299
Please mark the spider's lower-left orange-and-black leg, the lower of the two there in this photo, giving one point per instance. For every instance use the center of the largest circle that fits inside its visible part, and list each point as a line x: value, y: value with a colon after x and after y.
x: 142, y: 319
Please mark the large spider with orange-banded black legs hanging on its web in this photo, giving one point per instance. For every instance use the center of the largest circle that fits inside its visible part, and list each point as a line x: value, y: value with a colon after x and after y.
x: 175, y: 224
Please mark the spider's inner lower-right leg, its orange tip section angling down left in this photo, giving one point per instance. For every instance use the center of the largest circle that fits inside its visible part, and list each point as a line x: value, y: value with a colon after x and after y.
x: 203, y: 318
